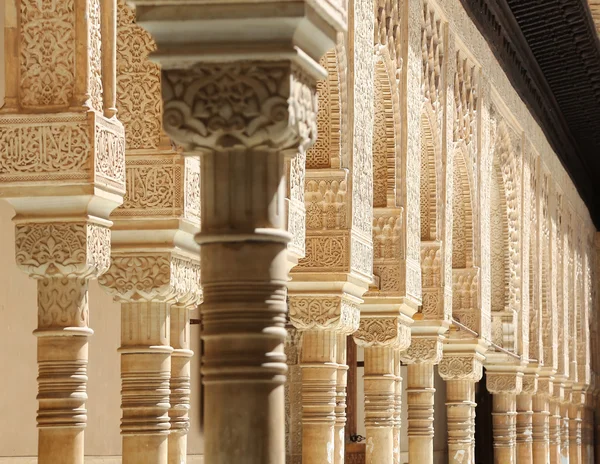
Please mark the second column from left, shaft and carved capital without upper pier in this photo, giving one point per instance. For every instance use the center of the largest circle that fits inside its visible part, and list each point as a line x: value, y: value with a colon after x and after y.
x: 147, y: 285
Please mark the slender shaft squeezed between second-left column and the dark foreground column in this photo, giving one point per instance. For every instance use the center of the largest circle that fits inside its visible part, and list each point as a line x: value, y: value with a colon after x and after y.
x: 180, y: 383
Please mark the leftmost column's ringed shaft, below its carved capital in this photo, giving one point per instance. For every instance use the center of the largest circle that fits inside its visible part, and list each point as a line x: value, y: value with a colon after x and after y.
x: 62, y: 369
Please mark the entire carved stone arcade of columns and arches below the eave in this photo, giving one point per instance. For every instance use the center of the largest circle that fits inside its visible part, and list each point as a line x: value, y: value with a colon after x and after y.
x: 375, y: 152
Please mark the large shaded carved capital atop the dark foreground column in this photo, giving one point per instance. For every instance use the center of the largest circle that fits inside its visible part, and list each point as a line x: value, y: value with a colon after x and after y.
x: 253, y: 104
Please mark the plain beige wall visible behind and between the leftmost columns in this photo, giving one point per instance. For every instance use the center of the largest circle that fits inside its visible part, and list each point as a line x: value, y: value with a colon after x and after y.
x: 18, y: 360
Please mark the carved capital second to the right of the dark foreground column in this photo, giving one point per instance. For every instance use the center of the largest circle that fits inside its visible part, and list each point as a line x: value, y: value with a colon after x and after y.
x: 383, y: 331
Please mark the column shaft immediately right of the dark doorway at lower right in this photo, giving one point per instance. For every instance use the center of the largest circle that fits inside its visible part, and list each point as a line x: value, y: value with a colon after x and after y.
x: 504, y: 420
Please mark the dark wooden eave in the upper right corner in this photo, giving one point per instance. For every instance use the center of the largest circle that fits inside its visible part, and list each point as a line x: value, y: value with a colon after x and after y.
x: 551, y: 53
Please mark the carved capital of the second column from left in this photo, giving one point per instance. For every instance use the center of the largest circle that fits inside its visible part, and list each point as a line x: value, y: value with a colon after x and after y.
x: 138, y: 277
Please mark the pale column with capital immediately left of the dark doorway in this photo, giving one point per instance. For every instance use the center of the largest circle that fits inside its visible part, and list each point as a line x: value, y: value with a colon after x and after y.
x: 461, y: 371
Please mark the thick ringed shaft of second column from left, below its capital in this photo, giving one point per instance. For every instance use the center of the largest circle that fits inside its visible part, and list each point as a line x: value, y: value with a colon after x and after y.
x: 145, y: 375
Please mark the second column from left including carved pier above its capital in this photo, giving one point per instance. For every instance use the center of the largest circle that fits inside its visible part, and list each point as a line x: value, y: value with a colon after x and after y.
x: 154, y: 272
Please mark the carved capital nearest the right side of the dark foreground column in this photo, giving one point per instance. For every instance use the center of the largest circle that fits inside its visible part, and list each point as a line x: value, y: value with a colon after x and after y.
x: 333, y: 313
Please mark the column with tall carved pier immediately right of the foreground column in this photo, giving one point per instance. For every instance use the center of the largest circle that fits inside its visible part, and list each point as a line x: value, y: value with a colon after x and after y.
x: 328, y: 284
